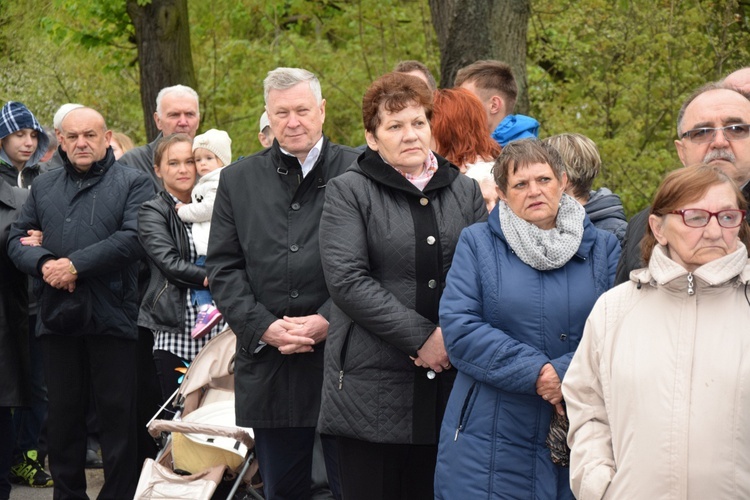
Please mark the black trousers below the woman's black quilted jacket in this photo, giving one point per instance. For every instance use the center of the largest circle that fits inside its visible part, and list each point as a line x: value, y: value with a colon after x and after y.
x: 373, y: 471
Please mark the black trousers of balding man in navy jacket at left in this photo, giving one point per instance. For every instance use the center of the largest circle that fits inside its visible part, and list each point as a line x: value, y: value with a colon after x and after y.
x: 75, y: 367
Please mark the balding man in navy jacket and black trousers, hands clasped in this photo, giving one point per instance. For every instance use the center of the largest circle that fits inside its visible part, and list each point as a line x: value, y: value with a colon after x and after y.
x: 86, y: 280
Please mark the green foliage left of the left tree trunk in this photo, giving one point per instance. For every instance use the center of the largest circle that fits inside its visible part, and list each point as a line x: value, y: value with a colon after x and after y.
x: 46, y: 60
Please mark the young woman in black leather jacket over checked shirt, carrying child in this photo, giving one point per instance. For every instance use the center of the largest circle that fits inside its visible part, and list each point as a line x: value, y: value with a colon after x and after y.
x: 169, y: 308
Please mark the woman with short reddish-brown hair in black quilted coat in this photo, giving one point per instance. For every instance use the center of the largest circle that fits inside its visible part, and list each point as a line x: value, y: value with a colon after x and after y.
x: 388, y: 231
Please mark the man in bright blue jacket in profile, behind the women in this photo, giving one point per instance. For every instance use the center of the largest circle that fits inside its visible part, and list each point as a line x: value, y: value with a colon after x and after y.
x: 494, y: 84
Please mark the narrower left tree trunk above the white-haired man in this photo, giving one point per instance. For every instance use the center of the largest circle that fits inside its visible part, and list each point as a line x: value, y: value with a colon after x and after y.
x: 162, y: 36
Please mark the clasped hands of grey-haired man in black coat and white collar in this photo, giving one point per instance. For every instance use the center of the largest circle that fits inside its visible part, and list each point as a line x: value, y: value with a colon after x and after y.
x: 298, y: 334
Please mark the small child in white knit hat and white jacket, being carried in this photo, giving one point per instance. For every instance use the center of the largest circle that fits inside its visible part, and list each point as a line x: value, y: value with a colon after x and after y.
x: 212, y: 151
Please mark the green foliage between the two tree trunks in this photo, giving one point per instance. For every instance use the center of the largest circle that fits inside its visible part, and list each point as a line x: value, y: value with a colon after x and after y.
x: 346, y: 44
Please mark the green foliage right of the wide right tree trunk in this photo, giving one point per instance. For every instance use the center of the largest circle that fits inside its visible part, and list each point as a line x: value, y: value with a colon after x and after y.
x: 619, y: 71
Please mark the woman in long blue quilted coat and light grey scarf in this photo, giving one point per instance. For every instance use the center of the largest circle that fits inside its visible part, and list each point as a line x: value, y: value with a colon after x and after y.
x: 517, y: 296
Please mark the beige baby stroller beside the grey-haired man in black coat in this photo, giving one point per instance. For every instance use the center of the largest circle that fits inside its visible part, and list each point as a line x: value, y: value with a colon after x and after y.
x: 204, y: 453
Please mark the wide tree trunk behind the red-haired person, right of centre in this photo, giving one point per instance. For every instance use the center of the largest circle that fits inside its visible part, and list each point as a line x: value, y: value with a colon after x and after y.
x: 470, y: 30
